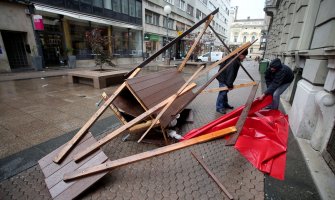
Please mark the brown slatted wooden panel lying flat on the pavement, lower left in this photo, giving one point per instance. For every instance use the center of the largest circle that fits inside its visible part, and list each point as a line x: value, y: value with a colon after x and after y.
x: 54, y: 172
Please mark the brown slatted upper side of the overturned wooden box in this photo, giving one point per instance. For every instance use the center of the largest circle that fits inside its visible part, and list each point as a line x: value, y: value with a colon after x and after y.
x: 146, y: 88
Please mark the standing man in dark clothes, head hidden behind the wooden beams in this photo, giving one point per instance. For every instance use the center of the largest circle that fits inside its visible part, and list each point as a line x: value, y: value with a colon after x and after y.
x: 226, y: 79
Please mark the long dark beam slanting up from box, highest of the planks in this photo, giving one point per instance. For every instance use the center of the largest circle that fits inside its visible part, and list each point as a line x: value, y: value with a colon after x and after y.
x: 167, y: 46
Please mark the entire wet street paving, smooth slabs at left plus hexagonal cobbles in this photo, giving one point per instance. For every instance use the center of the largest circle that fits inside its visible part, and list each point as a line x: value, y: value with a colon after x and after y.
x: 38, y: 115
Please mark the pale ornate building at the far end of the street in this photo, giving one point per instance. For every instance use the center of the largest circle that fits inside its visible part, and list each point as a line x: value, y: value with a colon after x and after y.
x: 246, y: 30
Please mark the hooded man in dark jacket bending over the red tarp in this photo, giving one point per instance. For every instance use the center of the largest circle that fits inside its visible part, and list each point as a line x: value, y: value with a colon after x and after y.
x: 278, y: 77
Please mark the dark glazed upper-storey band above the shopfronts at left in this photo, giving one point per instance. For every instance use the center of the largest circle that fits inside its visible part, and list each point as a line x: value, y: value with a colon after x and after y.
x: 86, y: 6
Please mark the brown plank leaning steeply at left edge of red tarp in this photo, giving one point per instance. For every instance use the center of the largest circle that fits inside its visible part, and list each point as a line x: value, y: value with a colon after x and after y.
x: 243, y: 116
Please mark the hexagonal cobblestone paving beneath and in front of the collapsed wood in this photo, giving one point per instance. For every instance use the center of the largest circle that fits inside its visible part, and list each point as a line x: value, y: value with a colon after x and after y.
x: 176, y: 175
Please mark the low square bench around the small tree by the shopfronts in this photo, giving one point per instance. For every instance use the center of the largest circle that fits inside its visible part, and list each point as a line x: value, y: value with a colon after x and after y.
x: 96, y: 78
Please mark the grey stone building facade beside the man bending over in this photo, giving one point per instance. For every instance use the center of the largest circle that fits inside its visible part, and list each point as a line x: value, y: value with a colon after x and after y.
x: 302, y: 35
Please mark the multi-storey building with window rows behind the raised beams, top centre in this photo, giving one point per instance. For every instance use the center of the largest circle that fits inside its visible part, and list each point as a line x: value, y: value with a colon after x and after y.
x: 184, y: 14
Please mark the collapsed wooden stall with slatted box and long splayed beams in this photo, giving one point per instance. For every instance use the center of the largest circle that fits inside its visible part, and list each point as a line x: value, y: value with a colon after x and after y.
x: 137, y: 104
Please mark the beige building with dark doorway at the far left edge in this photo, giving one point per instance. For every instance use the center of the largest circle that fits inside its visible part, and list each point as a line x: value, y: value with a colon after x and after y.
x: 17, y: 41
